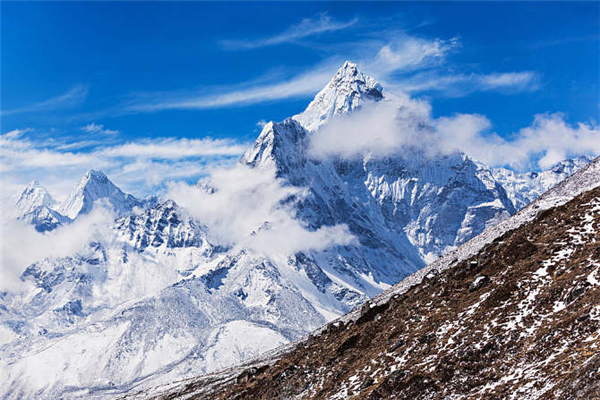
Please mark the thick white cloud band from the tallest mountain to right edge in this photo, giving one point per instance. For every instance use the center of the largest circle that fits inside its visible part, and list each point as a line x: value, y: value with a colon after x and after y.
x: 390, y: 128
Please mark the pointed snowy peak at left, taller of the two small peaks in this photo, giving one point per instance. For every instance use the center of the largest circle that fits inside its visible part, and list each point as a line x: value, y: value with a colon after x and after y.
x: 92, y: 187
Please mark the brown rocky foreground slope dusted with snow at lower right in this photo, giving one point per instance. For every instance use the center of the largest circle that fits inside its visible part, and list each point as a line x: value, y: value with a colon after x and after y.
x: 517, y: 318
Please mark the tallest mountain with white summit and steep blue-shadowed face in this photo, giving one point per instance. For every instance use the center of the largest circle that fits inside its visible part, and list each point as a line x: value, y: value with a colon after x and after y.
x: 415, y: 206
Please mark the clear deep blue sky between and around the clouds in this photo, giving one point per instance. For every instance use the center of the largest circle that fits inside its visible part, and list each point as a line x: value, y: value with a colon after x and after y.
x: 119, y: 49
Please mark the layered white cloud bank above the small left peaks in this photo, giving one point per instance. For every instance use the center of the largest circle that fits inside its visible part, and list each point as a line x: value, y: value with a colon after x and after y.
x: 140, y: 166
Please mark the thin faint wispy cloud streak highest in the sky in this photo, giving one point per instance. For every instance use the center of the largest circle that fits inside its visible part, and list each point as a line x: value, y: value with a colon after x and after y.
x: 322, y: 23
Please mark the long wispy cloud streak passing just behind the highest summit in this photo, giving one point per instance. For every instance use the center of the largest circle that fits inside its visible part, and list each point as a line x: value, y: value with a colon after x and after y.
x: 401, y: 62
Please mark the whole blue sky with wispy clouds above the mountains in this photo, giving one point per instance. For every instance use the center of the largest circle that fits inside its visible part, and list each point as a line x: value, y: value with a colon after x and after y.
x: 84, y: 79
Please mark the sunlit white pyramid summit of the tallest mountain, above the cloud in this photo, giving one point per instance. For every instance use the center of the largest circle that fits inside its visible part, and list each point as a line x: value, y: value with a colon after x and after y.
x: 347, y: 91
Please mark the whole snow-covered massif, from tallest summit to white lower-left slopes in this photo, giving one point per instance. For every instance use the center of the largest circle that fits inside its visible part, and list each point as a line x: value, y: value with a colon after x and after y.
x: 154, y: 297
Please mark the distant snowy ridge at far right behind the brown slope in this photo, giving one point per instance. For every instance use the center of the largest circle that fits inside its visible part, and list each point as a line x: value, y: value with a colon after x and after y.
x: 523, y: 188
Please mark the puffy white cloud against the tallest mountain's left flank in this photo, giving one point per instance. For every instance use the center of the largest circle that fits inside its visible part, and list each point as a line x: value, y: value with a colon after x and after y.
x: 251, y: 207
